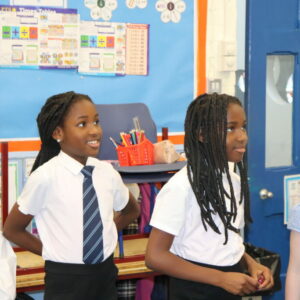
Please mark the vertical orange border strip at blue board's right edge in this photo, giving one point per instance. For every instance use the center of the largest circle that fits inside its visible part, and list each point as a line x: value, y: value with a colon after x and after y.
x: 201, y: 46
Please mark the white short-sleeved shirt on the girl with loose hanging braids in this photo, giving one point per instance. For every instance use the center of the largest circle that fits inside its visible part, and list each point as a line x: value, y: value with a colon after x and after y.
x: 177, y: 212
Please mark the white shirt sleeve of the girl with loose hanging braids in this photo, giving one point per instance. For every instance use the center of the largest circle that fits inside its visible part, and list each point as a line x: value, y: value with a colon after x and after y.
x: 170, y: 209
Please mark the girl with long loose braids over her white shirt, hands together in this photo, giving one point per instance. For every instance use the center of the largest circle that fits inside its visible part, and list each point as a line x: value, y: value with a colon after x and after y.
x: 201, y: 210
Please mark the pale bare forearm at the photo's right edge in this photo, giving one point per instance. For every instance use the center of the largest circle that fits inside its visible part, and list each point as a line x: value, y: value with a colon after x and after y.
x: 292, y: 285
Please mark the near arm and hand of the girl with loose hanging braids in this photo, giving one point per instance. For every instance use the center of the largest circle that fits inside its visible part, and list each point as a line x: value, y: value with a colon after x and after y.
x: 159, y: 258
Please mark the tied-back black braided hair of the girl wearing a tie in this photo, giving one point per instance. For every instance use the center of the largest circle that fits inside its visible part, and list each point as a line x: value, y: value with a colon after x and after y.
x: 52, y: 115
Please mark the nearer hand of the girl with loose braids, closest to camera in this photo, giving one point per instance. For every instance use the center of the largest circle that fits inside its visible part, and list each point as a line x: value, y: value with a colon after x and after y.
x: 239, y: 283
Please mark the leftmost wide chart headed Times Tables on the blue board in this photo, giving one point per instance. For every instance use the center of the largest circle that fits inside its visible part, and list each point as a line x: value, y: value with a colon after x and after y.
x: 38, y: 37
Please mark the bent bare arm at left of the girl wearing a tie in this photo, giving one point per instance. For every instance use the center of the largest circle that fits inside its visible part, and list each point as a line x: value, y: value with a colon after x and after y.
x: 15, y: 231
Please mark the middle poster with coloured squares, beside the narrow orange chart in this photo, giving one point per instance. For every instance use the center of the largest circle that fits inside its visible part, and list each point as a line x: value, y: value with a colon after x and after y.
x: 102, y: 48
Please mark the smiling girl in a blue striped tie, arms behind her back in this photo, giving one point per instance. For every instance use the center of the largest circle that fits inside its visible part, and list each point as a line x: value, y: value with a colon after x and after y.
x: 72, y: 196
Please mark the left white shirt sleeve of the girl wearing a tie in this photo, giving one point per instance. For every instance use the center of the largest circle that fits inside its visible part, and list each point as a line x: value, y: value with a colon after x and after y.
x: 32, y: 198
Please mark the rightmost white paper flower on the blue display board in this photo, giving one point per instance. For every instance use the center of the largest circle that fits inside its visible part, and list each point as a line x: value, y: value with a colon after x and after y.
x: 170, y: 10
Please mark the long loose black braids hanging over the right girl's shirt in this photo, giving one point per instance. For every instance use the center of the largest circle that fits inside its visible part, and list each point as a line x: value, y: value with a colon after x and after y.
x: 205, y: 148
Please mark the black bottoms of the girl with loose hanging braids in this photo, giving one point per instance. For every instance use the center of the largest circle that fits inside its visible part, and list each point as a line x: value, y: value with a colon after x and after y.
x: 180, y: 289
